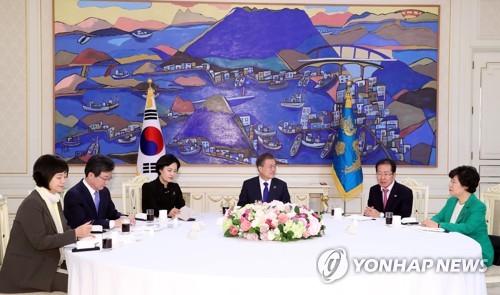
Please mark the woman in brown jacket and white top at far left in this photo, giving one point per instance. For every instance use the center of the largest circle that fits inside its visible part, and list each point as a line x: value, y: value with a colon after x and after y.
x: 34, y: 260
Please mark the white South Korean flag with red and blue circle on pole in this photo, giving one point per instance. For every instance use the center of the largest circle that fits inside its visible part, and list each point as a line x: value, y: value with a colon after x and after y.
x: 151, y: 146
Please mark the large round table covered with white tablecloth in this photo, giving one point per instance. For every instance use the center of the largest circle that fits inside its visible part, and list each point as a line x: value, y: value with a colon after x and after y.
x: 182, y: 261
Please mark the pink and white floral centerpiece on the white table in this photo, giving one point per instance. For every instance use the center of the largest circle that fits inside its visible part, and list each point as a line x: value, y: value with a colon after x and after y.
x: 273, y: 221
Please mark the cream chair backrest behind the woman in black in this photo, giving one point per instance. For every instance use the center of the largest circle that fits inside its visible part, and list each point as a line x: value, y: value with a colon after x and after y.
x: 132, y: 194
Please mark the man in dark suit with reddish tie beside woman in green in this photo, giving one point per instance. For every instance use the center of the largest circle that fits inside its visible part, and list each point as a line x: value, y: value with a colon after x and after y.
x: 388, y: 195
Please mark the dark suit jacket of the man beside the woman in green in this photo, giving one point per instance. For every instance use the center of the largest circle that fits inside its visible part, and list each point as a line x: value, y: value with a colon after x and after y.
x: 400, y: 200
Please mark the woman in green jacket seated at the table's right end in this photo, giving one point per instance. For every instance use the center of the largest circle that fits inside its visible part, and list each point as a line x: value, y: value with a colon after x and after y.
x: 464, y: 212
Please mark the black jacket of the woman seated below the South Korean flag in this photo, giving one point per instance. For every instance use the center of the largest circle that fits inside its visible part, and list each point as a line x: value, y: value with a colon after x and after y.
x: 155, y: 196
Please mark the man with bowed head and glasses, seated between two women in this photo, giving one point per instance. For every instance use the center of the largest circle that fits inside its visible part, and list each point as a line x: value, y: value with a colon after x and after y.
x: 90, y: 198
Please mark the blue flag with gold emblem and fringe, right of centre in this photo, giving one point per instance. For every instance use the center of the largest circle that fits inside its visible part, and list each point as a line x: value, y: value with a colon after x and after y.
x: 347, y: 172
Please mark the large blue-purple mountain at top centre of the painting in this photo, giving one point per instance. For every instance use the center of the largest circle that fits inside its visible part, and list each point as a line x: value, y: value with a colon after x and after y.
x: 257, y: 34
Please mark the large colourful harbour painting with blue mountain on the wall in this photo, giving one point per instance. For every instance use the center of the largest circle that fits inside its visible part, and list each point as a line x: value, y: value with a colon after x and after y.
x: 234, y: 80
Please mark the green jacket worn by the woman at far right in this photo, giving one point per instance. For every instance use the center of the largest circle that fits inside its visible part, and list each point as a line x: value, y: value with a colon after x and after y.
x: 471, y: 222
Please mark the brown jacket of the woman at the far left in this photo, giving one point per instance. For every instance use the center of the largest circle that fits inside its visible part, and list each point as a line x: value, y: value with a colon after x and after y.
x: 32, y: 255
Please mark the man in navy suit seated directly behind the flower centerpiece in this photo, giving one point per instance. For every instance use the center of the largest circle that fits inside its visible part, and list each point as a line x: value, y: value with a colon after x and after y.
x: 264, y: 187
